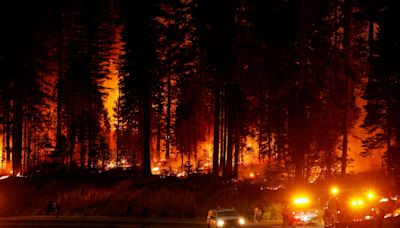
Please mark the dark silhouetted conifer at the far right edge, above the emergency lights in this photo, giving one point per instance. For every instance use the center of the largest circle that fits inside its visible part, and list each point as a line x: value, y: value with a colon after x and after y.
x: 382, y: 91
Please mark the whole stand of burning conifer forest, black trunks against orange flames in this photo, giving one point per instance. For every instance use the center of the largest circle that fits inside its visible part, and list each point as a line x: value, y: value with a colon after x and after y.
x: 176, y: 87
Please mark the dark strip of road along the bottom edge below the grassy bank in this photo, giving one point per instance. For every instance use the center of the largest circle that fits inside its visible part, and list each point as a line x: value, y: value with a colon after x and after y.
x: 105, y: 222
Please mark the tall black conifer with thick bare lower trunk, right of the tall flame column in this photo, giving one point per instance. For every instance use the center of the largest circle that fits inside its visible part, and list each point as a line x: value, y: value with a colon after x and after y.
x: 139, y: 69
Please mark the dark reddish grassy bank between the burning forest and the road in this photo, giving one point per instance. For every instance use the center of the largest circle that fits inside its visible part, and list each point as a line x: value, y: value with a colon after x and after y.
x: 130, y: 197
